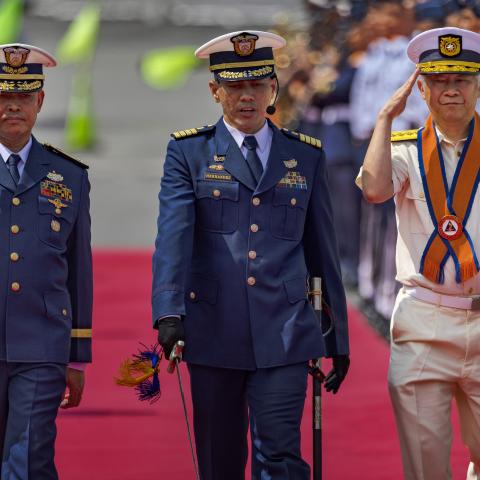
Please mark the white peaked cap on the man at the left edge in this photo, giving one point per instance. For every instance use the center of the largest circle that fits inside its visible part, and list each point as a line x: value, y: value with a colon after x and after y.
x: 21, y: 67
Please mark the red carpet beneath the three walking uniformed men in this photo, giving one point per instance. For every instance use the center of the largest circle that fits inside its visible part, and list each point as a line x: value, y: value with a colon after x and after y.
x: 112, y: 436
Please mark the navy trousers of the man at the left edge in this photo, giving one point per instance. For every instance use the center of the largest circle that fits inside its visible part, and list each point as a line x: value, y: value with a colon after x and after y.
x: 30, y: 394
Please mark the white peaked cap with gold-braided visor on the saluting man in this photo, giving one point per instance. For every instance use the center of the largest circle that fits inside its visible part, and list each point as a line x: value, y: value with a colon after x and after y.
x: 446, y: 50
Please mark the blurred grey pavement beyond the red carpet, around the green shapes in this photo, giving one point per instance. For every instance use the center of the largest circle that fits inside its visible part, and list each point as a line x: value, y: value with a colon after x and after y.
x: 134, y: 122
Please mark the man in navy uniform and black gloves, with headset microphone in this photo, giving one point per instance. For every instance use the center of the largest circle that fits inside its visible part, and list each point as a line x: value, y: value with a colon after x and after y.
x: 245, y: 219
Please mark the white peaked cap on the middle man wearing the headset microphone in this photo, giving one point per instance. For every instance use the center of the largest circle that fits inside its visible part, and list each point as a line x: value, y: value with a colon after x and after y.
x: 243, y: 55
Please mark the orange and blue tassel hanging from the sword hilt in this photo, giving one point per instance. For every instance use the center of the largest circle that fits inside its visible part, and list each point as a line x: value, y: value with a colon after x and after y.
x: 141, y: 372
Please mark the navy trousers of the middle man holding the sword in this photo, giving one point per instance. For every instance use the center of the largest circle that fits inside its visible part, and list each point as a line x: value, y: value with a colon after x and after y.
x: 225, y: 401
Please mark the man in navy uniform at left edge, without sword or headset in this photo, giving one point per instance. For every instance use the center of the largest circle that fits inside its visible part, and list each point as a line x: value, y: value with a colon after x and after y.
x: 45, y: 273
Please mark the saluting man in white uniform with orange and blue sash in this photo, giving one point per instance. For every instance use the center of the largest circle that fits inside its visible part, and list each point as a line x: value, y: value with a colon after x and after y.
x: 433, y: 175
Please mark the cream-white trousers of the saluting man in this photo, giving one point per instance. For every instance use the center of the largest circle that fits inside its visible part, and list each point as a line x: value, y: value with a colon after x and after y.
x: 434, y: 357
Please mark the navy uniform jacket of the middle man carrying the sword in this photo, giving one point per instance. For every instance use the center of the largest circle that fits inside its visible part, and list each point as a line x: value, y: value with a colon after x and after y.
x: 234, y: 259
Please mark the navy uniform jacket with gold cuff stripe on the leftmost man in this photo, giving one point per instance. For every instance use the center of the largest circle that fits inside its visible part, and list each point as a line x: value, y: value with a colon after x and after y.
x: 46, y: 293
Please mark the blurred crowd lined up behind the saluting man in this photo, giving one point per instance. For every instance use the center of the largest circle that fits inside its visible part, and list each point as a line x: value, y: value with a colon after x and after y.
x: 335, y: 77
